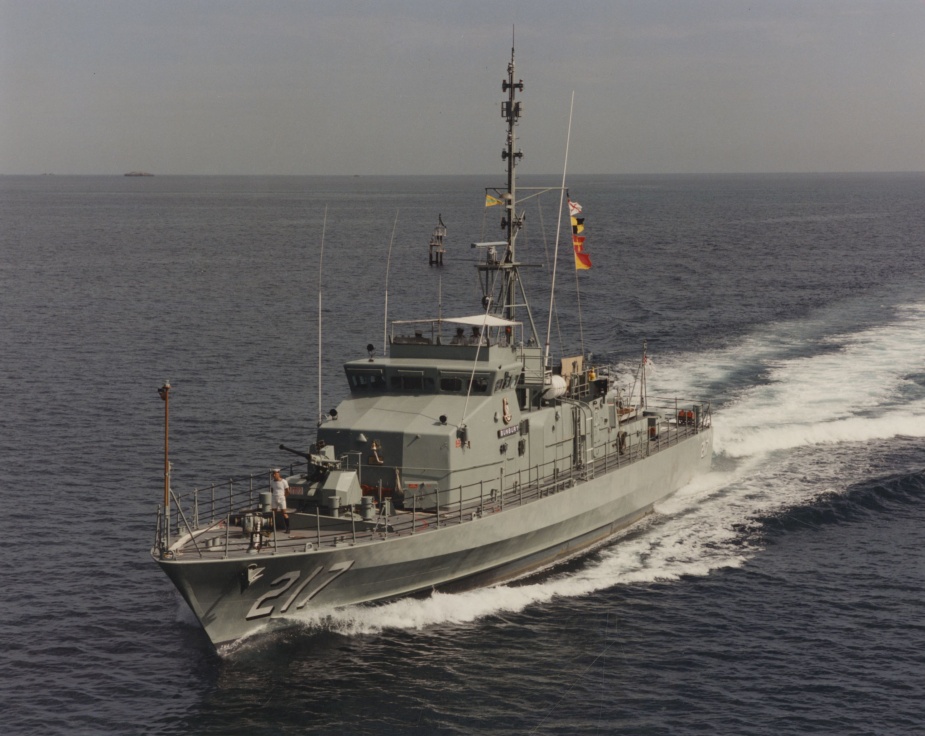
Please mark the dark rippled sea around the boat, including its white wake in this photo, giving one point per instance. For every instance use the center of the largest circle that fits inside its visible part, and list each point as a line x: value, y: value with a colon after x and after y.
x: 783, y: 593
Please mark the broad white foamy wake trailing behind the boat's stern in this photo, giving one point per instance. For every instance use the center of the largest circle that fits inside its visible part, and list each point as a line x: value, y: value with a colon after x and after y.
x: 853, y: 391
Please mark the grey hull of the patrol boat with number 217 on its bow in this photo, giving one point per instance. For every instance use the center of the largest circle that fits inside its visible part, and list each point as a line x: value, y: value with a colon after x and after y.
x: 237, y: 596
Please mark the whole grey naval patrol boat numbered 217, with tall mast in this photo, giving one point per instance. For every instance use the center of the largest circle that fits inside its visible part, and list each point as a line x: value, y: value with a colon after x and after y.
x: 462, y: 459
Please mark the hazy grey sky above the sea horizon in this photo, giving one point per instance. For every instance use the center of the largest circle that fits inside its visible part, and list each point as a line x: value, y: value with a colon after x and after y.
x: 414, y: 86
